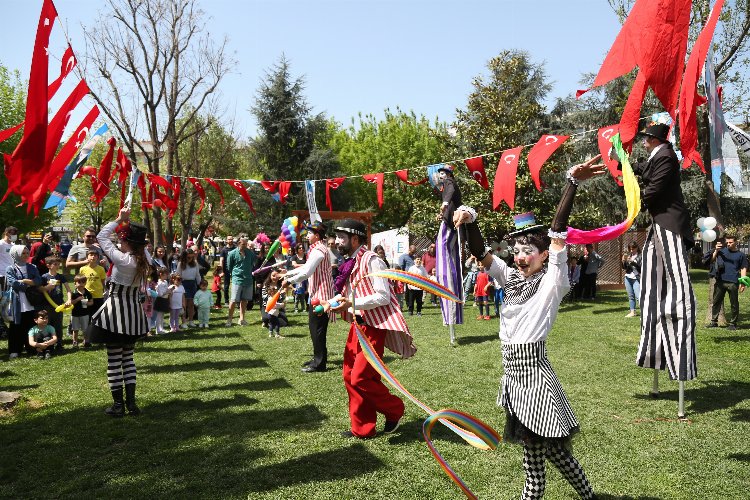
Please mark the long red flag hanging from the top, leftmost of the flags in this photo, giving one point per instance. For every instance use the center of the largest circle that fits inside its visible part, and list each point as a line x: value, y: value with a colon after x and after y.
x: 28, y: 157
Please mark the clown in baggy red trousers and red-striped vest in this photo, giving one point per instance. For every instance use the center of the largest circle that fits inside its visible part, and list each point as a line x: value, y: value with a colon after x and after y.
x: 380, y: 320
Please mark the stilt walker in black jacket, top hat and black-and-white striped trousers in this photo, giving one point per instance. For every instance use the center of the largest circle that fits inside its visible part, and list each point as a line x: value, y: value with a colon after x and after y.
x: 667, y: 298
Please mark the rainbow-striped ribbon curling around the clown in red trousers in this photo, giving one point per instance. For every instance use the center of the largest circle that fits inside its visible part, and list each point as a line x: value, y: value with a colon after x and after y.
x: 469, y: 428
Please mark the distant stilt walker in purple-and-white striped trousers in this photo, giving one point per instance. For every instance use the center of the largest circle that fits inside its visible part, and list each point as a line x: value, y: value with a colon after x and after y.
x: 448, y: 258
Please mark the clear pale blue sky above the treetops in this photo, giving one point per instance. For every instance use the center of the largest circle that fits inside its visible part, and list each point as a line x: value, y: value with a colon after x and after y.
x: 361, y: 56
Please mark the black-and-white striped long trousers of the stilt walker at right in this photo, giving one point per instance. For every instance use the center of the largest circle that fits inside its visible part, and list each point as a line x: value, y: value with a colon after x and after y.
x: 667, y: 307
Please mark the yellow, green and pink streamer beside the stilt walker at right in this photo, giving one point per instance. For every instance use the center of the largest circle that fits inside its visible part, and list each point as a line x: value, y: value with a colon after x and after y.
x: 632, y: 198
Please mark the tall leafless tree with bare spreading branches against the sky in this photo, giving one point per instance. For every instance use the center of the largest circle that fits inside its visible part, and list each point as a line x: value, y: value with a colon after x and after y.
x: 152, y: 69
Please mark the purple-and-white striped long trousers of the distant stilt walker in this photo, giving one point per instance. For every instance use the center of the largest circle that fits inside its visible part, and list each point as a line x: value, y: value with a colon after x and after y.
x: 448, y: 272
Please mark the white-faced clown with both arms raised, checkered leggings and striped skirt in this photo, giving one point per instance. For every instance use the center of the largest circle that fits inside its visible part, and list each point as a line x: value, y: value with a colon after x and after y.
x: 538, y: 414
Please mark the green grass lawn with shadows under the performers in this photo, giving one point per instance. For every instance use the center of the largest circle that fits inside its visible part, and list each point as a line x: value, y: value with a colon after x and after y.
x: 228, y: 414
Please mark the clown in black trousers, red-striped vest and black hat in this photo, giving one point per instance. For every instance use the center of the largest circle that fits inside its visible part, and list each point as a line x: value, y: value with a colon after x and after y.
x: 317, y: 269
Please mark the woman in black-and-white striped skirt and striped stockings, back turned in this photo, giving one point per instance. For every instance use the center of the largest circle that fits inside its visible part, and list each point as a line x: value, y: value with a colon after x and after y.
x: 120, y: 321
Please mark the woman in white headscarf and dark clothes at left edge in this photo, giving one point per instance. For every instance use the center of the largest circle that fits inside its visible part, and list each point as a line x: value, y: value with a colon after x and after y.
x: 20, y: 276
